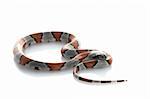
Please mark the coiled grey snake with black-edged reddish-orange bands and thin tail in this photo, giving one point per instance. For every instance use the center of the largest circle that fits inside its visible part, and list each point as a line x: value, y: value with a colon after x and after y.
x: 77, y: 59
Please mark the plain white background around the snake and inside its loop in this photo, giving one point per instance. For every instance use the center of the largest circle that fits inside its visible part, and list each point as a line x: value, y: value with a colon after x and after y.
x: 119, y: 27
